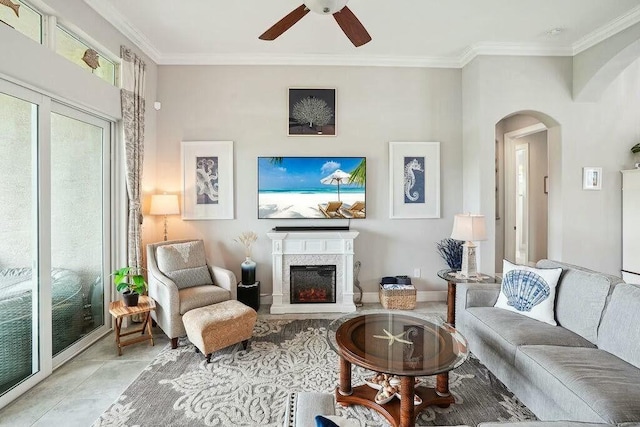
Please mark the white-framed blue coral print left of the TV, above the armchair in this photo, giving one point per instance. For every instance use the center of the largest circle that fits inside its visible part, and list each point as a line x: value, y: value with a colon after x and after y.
x: 207, y: 180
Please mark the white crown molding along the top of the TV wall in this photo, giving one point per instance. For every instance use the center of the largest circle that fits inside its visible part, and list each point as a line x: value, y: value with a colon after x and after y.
x: 308, y: 59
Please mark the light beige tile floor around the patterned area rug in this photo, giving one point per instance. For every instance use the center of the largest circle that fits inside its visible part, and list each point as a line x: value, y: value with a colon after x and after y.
x: 80, y: 390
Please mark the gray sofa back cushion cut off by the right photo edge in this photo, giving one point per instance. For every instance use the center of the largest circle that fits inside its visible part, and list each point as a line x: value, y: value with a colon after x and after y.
x: 619, y: 333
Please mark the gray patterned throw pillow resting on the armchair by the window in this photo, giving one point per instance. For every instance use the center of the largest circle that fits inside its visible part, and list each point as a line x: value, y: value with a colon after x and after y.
x: 184, y: 263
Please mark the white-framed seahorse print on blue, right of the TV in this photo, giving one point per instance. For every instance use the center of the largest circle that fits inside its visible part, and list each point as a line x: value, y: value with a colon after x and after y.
x: 414, y: 180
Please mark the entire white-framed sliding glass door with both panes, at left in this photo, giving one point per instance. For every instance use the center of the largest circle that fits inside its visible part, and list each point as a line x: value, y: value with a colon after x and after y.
x: 55, y: 233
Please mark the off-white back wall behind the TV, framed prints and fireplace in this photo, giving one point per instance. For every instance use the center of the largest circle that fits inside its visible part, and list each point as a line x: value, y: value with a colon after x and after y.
x: 248, y: 105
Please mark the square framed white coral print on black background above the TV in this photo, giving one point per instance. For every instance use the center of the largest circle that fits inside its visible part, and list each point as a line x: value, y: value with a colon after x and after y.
x: 312, y: 112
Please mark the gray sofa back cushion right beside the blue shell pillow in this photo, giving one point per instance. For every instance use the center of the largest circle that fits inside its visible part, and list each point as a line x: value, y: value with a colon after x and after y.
x: 581, y: 297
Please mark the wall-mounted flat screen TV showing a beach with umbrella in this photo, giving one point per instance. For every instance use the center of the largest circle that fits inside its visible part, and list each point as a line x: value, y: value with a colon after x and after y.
x: 312, y: 187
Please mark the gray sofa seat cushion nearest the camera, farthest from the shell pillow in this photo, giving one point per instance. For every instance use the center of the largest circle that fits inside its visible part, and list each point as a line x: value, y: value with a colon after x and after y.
x: 592, y: 384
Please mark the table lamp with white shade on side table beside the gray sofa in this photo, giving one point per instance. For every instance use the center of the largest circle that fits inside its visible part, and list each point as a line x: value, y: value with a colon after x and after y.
x: 469, y: 228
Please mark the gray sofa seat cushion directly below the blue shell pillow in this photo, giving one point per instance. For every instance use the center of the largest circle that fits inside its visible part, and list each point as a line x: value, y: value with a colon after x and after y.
x: 490, y: 326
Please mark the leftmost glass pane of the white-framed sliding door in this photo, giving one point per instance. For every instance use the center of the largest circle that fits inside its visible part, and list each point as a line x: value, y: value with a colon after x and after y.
x: 19, y: 288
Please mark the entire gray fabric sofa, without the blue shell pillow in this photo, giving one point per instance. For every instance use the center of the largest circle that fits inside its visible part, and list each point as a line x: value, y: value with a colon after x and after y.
x: 585, y: 369
